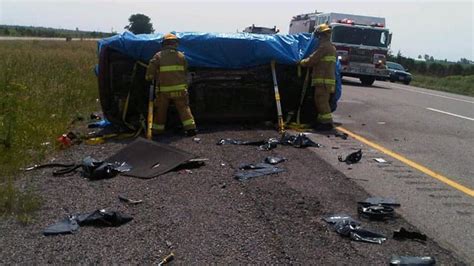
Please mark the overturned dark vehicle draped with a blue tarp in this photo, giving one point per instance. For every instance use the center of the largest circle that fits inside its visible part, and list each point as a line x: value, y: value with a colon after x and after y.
x: 229, y: 77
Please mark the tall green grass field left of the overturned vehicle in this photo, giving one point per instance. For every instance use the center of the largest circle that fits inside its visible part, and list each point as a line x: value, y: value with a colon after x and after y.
x: 44, y: 85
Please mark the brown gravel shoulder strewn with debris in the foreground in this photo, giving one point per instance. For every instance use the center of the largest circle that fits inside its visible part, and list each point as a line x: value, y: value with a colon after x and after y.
x: 207, y: 216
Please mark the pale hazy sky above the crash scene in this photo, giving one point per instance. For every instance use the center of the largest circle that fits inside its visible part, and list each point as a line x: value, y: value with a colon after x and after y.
x: 442, y: 29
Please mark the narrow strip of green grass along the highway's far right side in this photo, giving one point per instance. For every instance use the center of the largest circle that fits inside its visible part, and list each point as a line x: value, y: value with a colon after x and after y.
x: 455, y: 84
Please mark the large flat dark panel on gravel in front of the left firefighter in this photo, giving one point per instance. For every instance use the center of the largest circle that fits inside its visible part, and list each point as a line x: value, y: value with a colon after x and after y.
x: 150, y: 159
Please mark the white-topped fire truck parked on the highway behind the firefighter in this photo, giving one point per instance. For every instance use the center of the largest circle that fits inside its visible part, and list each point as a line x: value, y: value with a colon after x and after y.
x: 361, y: 42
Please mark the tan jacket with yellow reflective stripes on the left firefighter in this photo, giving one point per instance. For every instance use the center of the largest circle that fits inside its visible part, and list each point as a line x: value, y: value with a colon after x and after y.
x: 169, y: 68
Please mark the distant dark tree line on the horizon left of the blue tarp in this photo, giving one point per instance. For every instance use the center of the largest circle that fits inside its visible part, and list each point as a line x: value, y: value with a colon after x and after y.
x: 24, y: 31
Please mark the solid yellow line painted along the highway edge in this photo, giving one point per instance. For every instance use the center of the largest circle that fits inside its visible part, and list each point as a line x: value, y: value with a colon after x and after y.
x: 411, y: 163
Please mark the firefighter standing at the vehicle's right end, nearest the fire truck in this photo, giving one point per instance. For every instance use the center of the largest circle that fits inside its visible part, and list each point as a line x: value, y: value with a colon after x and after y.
x: 323, y: 62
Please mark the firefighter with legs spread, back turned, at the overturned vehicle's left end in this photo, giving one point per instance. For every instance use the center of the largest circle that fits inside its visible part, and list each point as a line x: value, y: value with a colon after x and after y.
x: 168, y: 67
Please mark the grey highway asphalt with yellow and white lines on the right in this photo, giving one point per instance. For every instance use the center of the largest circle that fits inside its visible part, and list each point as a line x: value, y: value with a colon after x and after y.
x: 432, y: 172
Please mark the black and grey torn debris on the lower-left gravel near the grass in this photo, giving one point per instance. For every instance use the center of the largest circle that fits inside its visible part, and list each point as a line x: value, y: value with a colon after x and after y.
x: 100, y: 218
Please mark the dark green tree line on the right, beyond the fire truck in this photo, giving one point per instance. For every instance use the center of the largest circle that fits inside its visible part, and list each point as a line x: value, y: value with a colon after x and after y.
x: 434, y: 67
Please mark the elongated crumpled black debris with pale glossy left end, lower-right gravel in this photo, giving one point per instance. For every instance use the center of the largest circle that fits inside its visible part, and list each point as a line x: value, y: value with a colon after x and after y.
x: 346, y: 226
